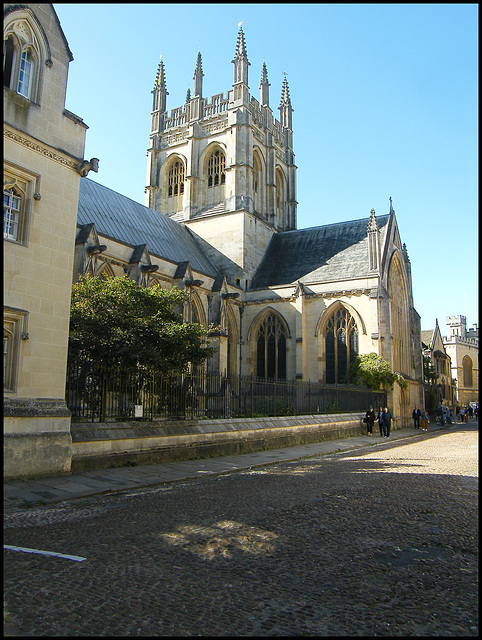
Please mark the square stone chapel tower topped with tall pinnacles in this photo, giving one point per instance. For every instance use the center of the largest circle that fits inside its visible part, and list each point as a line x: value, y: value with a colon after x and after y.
x: 224, y: 166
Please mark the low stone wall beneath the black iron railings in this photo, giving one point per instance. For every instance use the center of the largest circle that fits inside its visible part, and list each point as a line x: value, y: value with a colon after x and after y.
x: 103, y: 445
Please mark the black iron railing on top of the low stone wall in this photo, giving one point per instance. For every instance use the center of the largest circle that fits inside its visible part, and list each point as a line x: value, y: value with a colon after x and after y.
x: 100, y: 394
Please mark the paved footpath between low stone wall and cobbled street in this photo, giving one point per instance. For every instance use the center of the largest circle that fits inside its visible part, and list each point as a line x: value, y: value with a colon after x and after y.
x: 25, y: 493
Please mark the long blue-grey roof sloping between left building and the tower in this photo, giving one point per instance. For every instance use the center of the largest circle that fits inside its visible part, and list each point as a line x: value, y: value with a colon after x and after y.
x: 119, y: 218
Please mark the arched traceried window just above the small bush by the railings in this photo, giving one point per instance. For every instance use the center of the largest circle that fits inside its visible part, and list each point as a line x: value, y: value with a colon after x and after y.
x: 341, y: 345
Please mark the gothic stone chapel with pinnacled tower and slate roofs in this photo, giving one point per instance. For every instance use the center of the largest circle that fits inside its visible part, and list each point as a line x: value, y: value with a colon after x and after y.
x: 220, y: 220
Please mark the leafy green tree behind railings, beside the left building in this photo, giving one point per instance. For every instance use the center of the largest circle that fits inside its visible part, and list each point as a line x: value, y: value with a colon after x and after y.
x: 115, y: 322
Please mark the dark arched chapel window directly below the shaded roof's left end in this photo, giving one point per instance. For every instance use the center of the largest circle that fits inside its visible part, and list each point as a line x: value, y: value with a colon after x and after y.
x: 271, y: 349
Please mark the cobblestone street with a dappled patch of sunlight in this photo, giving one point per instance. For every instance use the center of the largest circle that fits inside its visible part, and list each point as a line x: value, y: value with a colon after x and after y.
x: 382, y: 541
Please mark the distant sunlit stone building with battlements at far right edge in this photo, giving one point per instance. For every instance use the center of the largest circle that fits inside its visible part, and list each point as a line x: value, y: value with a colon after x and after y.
x: 463, y: 348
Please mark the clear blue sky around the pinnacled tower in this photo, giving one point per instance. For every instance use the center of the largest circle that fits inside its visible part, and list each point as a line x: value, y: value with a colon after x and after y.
x: 385, y: 100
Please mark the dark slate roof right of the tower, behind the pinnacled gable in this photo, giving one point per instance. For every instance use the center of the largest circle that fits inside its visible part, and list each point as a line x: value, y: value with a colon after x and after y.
x: 319, y: 254
